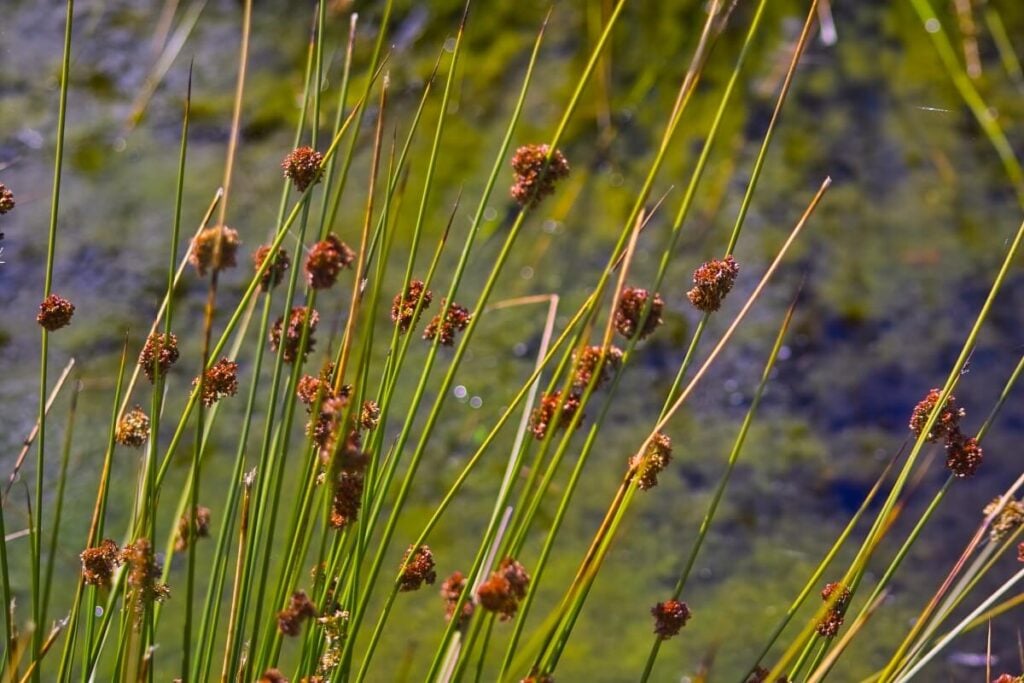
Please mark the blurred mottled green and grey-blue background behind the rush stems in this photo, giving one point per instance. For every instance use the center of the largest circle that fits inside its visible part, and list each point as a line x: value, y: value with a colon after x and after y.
x: 898, y: 262
